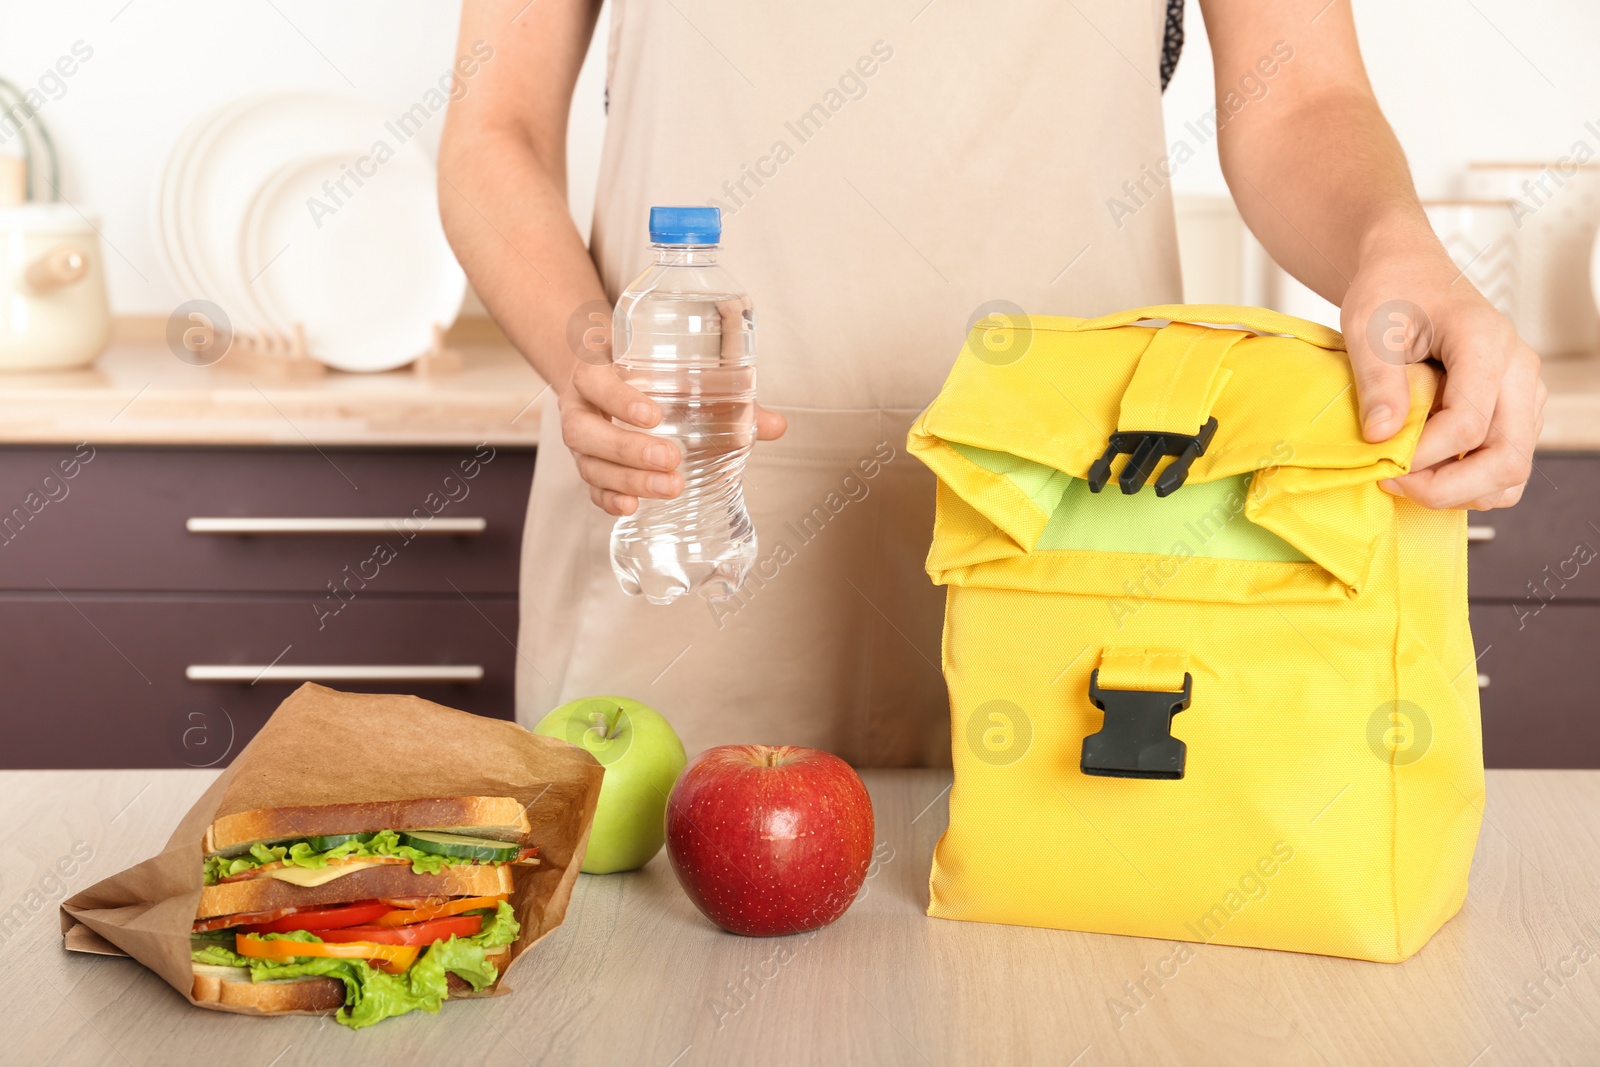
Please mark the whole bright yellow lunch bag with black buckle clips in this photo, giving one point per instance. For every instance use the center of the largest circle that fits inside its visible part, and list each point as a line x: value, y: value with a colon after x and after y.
x: 1207, y: 681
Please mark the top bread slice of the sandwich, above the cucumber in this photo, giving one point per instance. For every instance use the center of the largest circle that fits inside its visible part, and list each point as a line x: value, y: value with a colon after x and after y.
x: 497, y: 818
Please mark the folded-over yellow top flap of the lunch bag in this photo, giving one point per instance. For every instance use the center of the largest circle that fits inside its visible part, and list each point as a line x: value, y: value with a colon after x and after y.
x: 1041, y: 396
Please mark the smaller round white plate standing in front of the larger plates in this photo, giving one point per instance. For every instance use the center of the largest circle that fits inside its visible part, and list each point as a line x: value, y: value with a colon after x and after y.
x: 367, y: 279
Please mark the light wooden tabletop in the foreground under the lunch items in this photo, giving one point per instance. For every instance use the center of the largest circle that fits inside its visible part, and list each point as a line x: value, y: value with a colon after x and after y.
x: 638, y: 977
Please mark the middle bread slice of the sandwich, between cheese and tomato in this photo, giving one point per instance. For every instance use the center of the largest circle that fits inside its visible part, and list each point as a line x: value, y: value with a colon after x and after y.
x: 388, y: 882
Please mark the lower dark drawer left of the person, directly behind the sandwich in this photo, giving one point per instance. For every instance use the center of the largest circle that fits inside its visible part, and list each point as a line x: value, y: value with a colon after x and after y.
x: 100, y: 681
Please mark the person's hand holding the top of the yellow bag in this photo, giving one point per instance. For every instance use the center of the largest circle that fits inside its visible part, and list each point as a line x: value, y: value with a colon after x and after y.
x: 1478, y: 446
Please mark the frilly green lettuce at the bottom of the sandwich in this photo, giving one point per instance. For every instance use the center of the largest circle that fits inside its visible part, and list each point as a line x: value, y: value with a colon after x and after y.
x: 370, y: 996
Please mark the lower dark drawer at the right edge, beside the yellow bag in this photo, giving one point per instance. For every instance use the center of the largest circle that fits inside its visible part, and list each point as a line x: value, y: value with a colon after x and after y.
x: 1538, y: 701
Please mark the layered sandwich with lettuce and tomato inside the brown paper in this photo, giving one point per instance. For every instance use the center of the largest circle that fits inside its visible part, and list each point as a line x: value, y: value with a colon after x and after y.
x: 366, y: 909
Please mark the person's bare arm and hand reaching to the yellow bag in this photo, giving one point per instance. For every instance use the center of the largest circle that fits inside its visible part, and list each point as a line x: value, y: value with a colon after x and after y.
x: 1322, y: 182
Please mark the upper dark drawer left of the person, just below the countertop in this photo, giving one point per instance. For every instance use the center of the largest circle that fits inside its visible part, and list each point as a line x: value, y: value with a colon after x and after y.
x: 121, y: 521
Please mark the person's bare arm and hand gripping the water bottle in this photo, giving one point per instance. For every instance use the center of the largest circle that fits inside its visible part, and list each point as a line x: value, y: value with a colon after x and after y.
x: 503, y: 199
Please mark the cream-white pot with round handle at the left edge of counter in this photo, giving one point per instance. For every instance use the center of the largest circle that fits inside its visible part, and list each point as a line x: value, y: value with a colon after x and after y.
x: 54, y: 306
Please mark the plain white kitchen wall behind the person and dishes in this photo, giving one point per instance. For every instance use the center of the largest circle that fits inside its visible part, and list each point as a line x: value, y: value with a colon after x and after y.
x: 1490, y: 79
